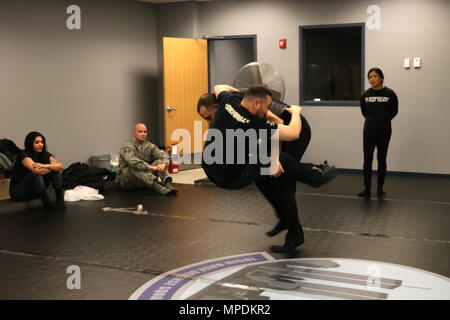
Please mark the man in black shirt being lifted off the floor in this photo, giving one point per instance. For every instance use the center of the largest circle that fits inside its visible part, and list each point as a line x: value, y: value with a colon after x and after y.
x: 231, y: 168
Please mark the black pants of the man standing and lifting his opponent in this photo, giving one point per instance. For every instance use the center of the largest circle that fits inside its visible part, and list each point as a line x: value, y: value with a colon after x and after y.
x: 280, y: 192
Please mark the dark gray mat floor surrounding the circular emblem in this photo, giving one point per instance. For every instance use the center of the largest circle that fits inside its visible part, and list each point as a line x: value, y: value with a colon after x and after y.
x: 118, y: 252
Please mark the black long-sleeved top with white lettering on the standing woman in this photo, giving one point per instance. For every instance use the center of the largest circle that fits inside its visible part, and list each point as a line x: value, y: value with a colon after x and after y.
x: 379, y: 107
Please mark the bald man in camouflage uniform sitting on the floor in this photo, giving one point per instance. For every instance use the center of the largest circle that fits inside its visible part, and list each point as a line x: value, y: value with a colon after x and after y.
x: 141, y: 163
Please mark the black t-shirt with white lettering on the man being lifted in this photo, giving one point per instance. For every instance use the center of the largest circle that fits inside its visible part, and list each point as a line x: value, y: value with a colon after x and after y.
x: 237, y: 145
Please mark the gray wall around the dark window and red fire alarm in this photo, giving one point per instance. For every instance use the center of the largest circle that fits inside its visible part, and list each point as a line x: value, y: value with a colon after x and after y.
x: 409, y: 28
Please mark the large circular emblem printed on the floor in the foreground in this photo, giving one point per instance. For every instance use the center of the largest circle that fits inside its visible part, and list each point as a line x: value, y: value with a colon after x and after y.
x: 258, y: 276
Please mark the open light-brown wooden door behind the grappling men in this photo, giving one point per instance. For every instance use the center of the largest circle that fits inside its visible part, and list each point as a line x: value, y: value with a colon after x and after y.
x: 185, y: 74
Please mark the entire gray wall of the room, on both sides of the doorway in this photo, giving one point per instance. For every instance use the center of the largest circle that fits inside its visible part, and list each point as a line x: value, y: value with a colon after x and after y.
x: 85, y: 89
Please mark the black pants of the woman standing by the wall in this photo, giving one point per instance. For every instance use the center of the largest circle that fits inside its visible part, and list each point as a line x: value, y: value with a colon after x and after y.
x: 372, y: 139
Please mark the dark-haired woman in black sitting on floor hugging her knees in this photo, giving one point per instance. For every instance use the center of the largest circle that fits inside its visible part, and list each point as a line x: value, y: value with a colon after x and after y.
x: 33, y: 171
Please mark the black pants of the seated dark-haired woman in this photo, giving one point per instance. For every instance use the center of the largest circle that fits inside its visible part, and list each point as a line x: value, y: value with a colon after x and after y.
x: 34, y: 186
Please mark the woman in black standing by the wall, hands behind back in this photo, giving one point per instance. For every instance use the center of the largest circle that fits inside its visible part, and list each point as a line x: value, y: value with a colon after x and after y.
x: 379, y: 105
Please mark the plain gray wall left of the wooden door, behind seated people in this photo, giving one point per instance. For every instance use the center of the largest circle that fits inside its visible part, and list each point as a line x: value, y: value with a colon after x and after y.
x: 83, y: 89
